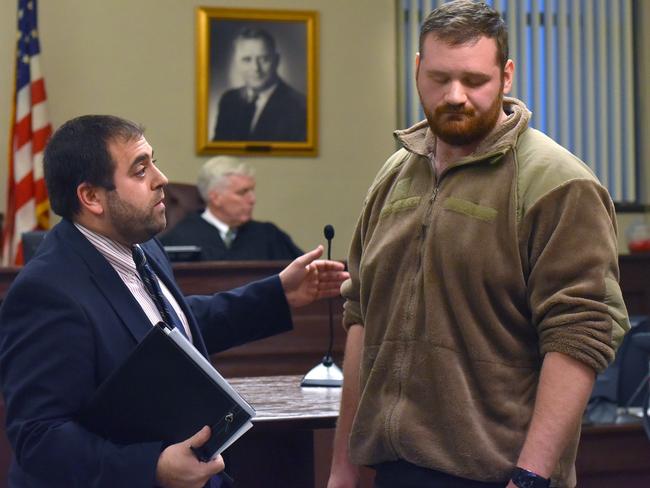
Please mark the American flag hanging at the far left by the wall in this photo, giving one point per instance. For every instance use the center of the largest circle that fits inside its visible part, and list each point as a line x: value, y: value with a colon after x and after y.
x: 28, y: 207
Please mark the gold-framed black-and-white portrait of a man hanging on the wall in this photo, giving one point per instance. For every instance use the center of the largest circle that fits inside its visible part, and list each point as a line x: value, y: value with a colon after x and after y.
x: 256, y: 82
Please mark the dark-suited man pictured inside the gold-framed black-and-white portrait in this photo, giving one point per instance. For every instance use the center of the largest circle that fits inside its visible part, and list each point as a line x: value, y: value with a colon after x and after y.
x: 265, y: 108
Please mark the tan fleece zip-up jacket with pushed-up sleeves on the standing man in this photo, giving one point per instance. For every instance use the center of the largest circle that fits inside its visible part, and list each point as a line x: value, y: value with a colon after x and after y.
x: 463, y: 283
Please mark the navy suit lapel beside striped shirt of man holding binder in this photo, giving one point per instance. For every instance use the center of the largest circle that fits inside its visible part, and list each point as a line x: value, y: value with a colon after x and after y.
x: 107, y: 281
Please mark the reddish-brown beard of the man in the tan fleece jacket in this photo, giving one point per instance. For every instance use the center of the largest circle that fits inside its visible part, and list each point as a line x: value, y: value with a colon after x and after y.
x: 465, y: 127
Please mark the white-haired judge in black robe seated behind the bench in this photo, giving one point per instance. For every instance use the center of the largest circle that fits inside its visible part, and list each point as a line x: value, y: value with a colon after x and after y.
x: 225, y: 230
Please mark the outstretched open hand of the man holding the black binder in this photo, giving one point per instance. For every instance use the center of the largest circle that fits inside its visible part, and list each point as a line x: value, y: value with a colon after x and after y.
x: 307, y: 279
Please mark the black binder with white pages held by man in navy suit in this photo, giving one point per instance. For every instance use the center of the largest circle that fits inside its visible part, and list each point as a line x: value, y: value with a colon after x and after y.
x: 167, y: 391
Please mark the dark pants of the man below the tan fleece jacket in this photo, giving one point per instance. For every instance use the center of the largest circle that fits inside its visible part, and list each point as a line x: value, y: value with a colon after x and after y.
x: 401, y: 474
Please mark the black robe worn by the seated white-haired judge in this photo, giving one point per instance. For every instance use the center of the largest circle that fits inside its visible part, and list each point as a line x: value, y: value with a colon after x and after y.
x: 254, y: 241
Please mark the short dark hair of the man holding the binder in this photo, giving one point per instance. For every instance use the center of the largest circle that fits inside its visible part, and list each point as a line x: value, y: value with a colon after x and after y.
x: 78, y: 152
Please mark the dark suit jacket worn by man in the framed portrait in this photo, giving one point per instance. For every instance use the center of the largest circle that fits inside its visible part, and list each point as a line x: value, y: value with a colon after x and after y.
x: 284, y: 117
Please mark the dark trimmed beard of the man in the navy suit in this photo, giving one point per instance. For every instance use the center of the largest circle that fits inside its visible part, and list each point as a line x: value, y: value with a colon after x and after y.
x: 133, y: 224
